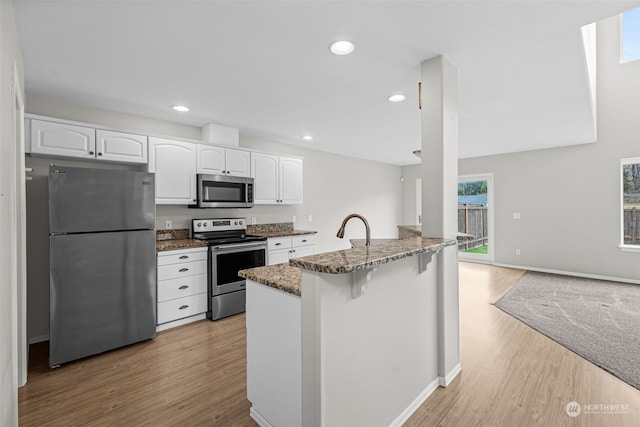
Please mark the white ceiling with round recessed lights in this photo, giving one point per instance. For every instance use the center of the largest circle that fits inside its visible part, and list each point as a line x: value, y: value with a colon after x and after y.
x: 265, y: 68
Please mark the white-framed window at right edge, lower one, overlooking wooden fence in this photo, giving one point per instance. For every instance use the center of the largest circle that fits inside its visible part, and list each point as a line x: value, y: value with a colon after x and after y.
x: 630, y: 176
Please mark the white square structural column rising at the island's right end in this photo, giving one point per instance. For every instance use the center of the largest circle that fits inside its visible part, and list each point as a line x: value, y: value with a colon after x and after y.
x: 439, y: 116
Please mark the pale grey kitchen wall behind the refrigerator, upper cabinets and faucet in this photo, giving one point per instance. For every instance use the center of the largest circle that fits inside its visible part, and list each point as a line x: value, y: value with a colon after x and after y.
x: 334, y: 186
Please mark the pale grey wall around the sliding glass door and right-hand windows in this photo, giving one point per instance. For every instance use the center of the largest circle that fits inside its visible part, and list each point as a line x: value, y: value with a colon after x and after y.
x: 568, y: 198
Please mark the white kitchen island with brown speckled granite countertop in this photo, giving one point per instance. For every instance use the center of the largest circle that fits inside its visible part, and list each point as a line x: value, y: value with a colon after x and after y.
x: 345, y: 338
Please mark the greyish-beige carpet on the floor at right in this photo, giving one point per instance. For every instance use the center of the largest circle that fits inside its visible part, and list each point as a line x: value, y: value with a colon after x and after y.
x: 598, y: 320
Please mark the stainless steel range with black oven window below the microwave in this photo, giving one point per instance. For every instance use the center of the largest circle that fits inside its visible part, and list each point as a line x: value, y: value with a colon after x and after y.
x: 230, y: 250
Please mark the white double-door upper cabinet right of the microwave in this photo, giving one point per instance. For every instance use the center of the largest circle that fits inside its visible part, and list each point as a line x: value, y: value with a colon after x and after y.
x: 277, y: 179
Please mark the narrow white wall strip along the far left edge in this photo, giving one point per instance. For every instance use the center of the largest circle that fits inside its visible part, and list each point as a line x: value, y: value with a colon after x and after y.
x: 8, y: 365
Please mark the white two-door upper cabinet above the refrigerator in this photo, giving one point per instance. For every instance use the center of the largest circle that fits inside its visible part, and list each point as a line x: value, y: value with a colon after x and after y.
x: 67, y: 140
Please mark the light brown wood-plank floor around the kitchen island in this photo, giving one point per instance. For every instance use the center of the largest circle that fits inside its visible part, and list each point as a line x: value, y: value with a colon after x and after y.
x: 195, y: 375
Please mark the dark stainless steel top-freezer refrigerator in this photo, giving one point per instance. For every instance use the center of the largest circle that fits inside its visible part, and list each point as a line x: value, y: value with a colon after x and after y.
x: 102, y: 260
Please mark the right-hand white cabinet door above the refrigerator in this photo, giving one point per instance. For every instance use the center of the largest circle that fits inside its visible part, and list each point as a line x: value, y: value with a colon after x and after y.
x: 121, y: 147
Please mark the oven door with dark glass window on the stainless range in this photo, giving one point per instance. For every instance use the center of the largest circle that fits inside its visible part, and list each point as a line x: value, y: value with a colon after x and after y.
x: 227, y: 260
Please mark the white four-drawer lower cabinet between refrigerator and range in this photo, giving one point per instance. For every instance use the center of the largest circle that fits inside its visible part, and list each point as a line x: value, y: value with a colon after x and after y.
x: 181, y: 287
